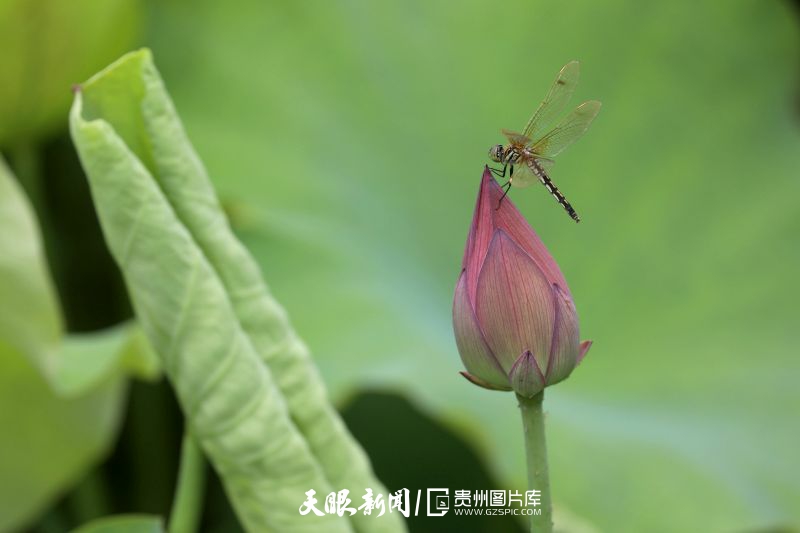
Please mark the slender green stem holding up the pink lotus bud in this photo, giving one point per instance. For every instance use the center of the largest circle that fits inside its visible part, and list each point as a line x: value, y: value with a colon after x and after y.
x: 536, y: 456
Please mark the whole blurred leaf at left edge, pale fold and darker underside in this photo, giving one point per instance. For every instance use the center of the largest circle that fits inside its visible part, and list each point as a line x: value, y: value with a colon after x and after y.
x: 60, y: 397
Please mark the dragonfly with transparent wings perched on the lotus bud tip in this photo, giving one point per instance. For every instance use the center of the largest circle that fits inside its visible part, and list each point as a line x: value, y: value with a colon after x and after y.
x: 528, y: 156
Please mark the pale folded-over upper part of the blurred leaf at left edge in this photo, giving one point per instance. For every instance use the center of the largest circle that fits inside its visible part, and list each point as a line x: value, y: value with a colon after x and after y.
x: 30, y: 317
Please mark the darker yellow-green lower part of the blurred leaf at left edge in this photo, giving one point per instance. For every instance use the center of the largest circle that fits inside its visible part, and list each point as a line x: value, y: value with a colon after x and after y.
x: 47, y: 442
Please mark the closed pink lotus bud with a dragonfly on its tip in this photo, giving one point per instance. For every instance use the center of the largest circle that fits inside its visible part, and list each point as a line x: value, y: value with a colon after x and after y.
x: 515, y: 323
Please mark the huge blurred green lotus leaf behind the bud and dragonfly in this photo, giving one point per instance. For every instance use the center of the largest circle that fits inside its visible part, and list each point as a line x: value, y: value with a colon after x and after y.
x: 350, y: 141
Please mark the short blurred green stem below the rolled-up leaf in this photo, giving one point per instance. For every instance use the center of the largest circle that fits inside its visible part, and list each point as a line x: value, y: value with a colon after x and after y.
x: 187, y: 505
